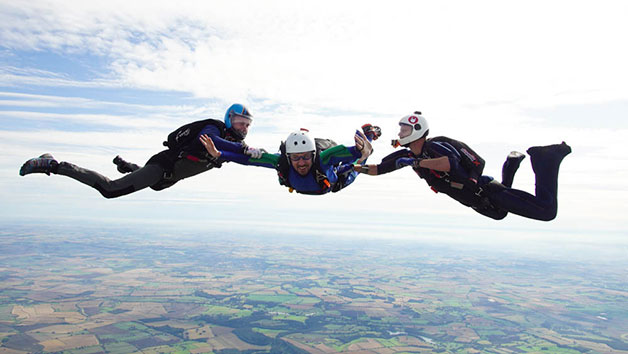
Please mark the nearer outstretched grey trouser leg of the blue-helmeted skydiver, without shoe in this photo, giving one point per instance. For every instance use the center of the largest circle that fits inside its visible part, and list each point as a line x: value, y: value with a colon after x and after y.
x: 135, y: 181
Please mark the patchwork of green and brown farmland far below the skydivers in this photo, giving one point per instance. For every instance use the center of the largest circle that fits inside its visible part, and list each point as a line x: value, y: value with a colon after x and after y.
x: 87, y: 290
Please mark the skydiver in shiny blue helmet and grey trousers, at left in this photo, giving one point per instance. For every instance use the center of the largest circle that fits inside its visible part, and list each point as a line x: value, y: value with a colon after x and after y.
x: 185, y: 157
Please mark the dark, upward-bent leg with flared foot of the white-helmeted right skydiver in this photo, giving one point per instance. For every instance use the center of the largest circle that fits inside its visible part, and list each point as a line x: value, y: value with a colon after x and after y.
x: 544, y: 205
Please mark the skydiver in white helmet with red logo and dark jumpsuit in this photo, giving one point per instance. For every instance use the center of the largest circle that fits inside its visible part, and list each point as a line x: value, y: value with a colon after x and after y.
x: 451, y: 167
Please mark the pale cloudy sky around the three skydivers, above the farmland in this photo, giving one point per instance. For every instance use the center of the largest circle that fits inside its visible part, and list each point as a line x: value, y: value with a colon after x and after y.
x: 87, y: 81
